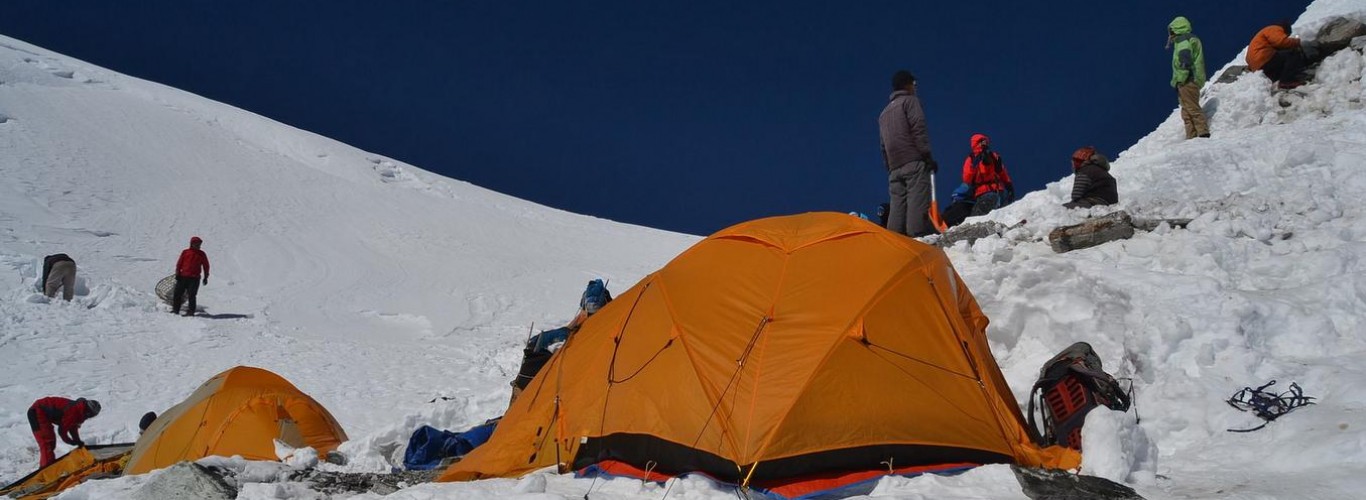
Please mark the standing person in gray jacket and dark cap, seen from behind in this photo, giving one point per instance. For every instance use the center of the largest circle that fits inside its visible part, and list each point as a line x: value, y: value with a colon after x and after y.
x: 906, y: 155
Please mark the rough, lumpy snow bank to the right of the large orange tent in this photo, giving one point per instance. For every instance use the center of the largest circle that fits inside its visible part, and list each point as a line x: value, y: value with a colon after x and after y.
x: 1267, y: 283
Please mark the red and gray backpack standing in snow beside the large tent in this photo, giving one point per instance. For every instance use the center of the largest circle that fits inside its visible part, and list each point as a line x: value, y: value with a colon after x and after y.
x: 1069, y: 387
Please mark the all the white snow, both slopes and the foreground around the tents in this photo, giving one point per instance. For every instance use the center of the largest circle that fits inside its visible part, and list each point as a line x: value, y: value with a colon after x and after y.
x: 376, y: 286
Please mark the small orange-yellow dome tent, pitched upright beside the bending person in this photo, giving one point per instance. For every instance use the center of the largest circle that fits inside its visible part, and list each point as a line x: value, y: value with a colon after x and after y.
x: 240, y: 412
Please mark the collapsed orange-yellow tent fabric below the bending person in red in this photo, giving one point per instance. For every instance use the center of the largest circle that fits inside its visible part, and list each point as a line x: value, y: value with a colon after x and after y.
x: 70, y: 471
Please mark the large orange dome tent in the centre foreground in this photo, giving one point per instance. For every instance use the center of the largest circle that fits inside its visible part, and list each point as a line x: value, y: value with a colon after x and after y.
x: 775, y: 349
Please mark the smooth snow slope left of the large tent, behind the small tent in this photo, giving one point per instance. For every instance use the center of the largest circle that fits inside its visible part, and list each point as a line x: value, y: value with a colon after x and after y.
x: 370, y: 283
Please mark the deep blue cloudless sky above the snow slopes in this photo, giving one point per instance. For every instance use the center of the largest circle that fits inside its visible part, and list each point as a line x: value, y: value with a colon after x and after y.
x: 680, y: 115
